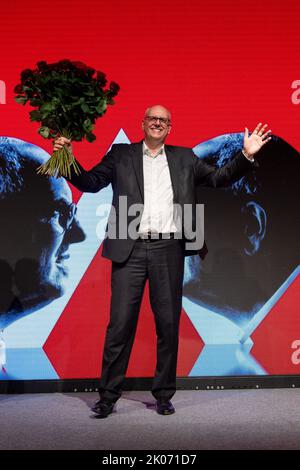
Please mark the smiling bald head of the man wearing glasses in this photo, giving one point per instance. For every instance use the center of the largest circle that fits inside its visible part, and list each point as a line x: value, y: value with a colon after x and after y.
x: 156, y: 125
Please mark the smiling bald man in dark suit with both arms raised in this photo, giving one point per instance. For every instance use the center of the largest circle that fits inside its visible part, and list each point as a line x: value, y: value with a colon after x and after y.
x: 160, y: 179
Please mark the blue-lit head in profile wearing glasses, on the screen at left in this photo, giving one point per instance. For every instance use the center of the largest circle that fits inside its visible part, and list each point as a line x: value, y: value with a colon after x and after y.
x: 38, y: 224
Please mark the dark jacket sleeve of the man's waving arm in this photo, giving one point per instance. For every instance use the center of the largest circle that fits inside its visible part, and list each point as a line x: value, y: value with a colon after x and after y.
x: 235, y: 169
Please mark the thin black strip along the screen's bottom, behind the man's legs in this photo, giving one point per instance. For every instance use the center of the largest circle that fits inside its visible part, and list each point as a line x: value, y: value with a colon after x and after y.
x: 135, y: 384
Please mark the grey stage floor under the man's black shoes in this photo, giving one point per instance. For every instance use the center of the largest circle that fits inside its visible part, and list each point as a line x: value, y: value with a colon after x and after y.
x: 228, y: 419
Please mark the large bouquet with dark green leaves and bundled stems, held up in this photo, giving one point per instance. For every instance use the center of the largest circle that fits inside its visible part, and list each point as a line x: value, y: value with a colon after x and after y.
x: 69, y: 97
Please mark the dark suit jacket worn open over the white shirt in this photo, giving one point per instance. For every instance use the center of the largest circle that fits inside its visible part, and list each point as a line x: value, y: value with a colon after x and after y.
x: 122, y: 167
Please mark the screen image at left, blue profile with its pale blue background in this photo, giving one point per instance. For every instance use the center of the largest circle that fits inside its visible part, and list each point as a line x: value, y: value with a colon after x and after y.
x: 42, y: 259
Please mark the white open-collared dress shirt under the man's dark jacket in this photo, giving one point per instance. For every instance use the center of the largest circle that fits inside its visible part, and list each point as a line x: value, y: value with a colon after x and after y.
x: 158, y: 215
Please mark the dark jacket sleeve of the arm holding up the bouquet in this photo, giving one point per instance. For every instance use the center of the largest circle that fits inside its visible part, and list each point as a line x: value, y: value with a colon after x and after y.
x: 100, y: 176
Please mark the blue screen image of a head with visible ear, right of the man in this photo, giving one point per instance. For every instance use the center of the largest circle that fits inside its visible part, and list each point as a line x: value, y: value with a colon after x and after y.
x: 252, y: 235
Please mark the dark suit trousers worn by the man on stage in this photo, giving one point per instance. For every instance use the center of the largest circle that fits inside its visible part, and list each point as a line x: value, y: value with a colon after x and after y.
x: 162, y: 263
